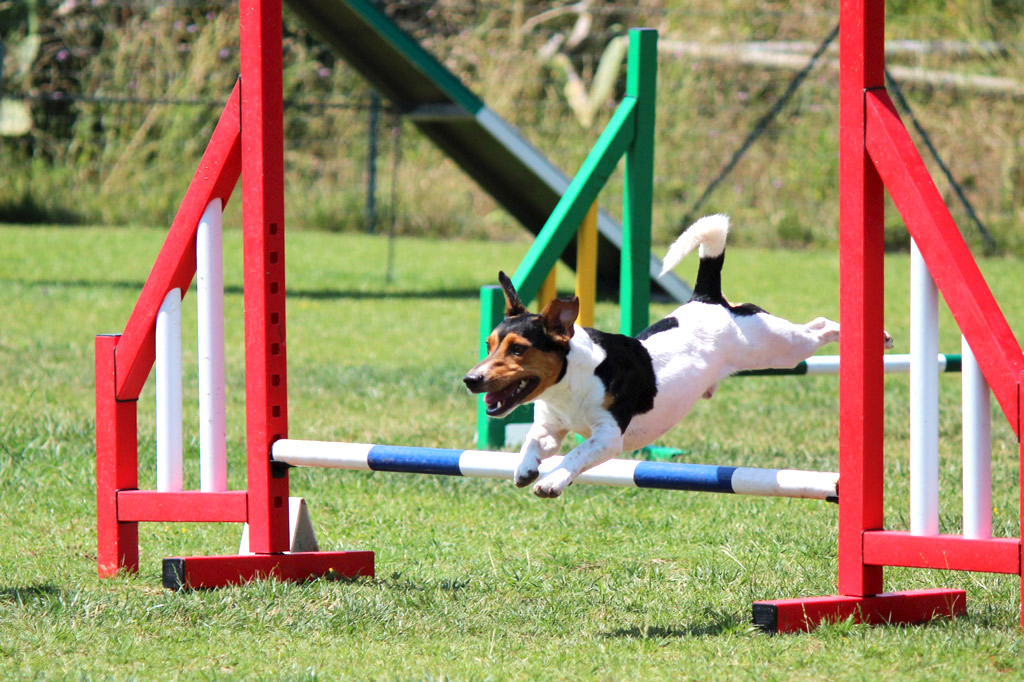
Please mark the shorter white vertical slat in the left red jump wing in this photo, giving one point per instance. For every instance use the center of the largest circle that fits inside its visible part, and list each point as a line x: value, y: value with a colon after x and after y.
x: 168, y: 363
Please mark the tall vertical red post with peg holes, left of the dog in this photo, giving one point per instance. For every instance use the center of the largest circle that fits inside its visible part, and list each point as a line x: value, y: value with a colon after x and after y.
x: 264, y: 239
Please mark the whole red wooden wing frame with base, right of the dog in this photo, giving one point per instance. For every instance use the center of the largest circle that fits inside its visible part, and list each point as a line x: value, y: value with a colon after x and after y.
x: 877, y: 154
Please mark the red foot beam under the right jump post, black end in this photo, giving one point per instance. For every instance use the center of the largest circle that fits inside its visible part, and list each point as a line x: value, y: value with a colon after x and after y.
x: 784, y: 616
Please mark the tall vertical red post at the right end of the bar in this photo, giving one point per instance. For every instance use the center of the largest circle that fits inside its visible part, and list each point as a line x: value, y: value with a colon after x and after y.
x: 863, y: 284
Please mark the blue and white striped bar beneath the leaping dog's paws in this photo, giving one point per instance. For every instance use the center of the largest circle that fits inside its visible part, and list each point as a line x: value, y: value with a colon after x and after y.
x: 622, y: 474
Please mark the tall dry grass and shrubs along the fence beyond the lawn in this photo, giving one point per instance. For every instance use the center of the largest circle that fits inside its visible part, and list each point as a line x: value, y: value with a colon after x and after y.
x: 107, y: 118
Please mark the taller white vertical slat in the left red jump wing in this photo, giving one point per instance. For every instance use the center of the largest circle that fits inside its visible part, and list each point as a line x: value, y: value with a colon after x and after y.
x: 210, y: 304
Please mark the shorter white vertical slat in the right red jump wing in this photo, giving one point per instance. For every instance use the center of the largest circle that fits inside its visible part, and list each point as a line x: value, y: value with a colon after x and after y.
x: 977, y: 449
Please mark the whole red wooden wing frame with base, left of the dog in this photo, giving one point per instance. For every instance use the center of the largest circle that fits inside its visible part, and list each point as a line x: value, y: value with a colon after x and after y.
x: 247, y: 141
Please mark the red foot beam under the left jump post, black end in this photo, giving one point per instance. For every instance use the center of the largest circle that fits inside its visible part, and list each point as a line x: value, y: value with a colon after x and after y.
x: 217, y: 572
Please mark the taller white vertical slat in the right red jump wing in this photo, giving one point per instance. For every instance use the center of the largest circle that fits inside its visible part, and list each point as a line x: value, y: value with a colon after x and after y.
x: 924, y: 399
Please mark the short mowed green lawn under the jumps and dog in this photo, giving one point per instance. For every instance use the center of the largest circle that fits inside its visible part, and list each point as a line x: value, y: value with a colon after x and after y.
x: 476, y: 580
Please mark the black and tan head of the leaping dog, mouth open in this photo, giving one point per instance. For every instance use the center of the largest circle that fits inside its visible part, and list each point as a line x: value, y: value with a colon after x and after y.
x: 527, y: 353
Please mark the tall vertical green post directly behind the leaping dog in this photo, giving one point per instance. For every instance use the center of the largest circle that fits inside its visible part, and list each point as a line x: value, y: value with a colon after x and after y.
x: 642, y: 82
